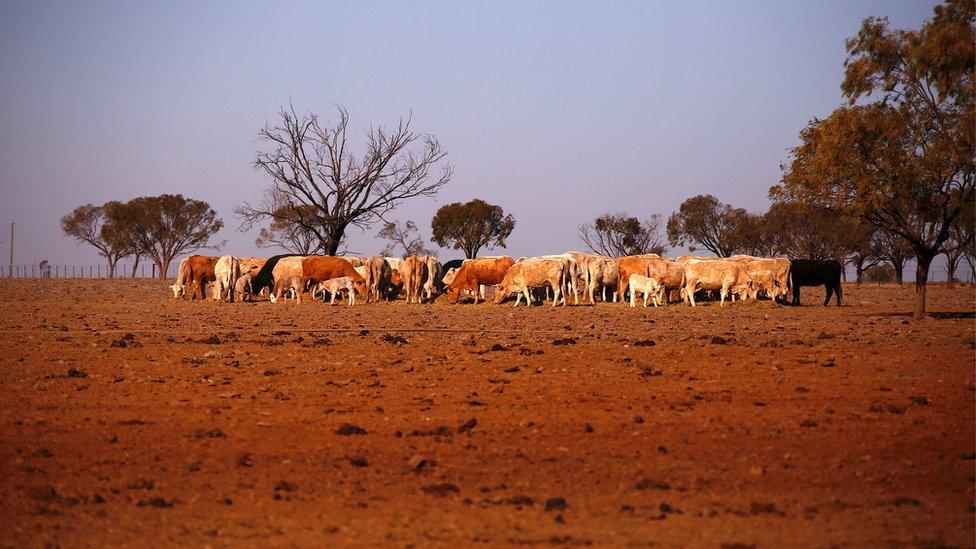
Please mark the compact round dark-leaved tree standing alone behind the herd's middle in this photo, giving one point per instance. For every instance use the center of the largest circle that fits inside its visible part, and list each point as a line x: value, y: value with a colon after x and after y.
x: 471, y: 226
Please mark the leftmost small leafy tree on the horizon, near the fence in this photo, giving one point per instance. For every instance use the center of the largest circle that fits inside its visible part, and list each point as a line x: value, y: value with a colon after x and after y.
x: 92, y: 225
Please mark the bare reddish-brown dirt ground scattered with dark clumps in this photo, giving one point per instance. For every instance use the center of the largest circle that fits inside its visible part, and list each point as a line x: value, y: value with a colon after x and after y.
x: 128, y: 418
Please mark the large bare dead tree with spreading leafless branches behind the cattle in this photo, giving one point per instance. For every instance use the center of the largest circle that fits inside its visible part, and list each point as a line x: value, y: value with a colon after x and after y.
x: 311, y: 166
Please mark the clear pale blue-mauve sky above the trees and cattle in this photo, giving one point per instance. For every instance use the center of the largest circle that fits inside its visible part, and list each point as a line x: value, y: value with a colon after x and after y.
x: 557, y: 111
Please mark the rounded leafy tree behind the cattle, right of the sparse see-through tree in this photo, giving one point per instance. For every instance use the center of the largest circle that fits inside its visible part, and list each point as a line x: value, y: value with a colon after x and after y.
x: 704, y: 221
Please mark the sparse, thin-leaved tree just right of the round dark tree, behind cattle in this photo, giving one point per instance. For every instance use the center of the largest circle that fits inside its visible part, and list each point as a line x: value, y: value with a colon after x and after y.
x: 618, y: 235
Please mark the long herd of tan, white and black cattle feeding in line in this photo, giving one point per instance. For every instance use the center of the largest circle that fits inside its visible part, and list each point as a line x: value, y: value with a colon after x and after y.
x: 550, y: 277
